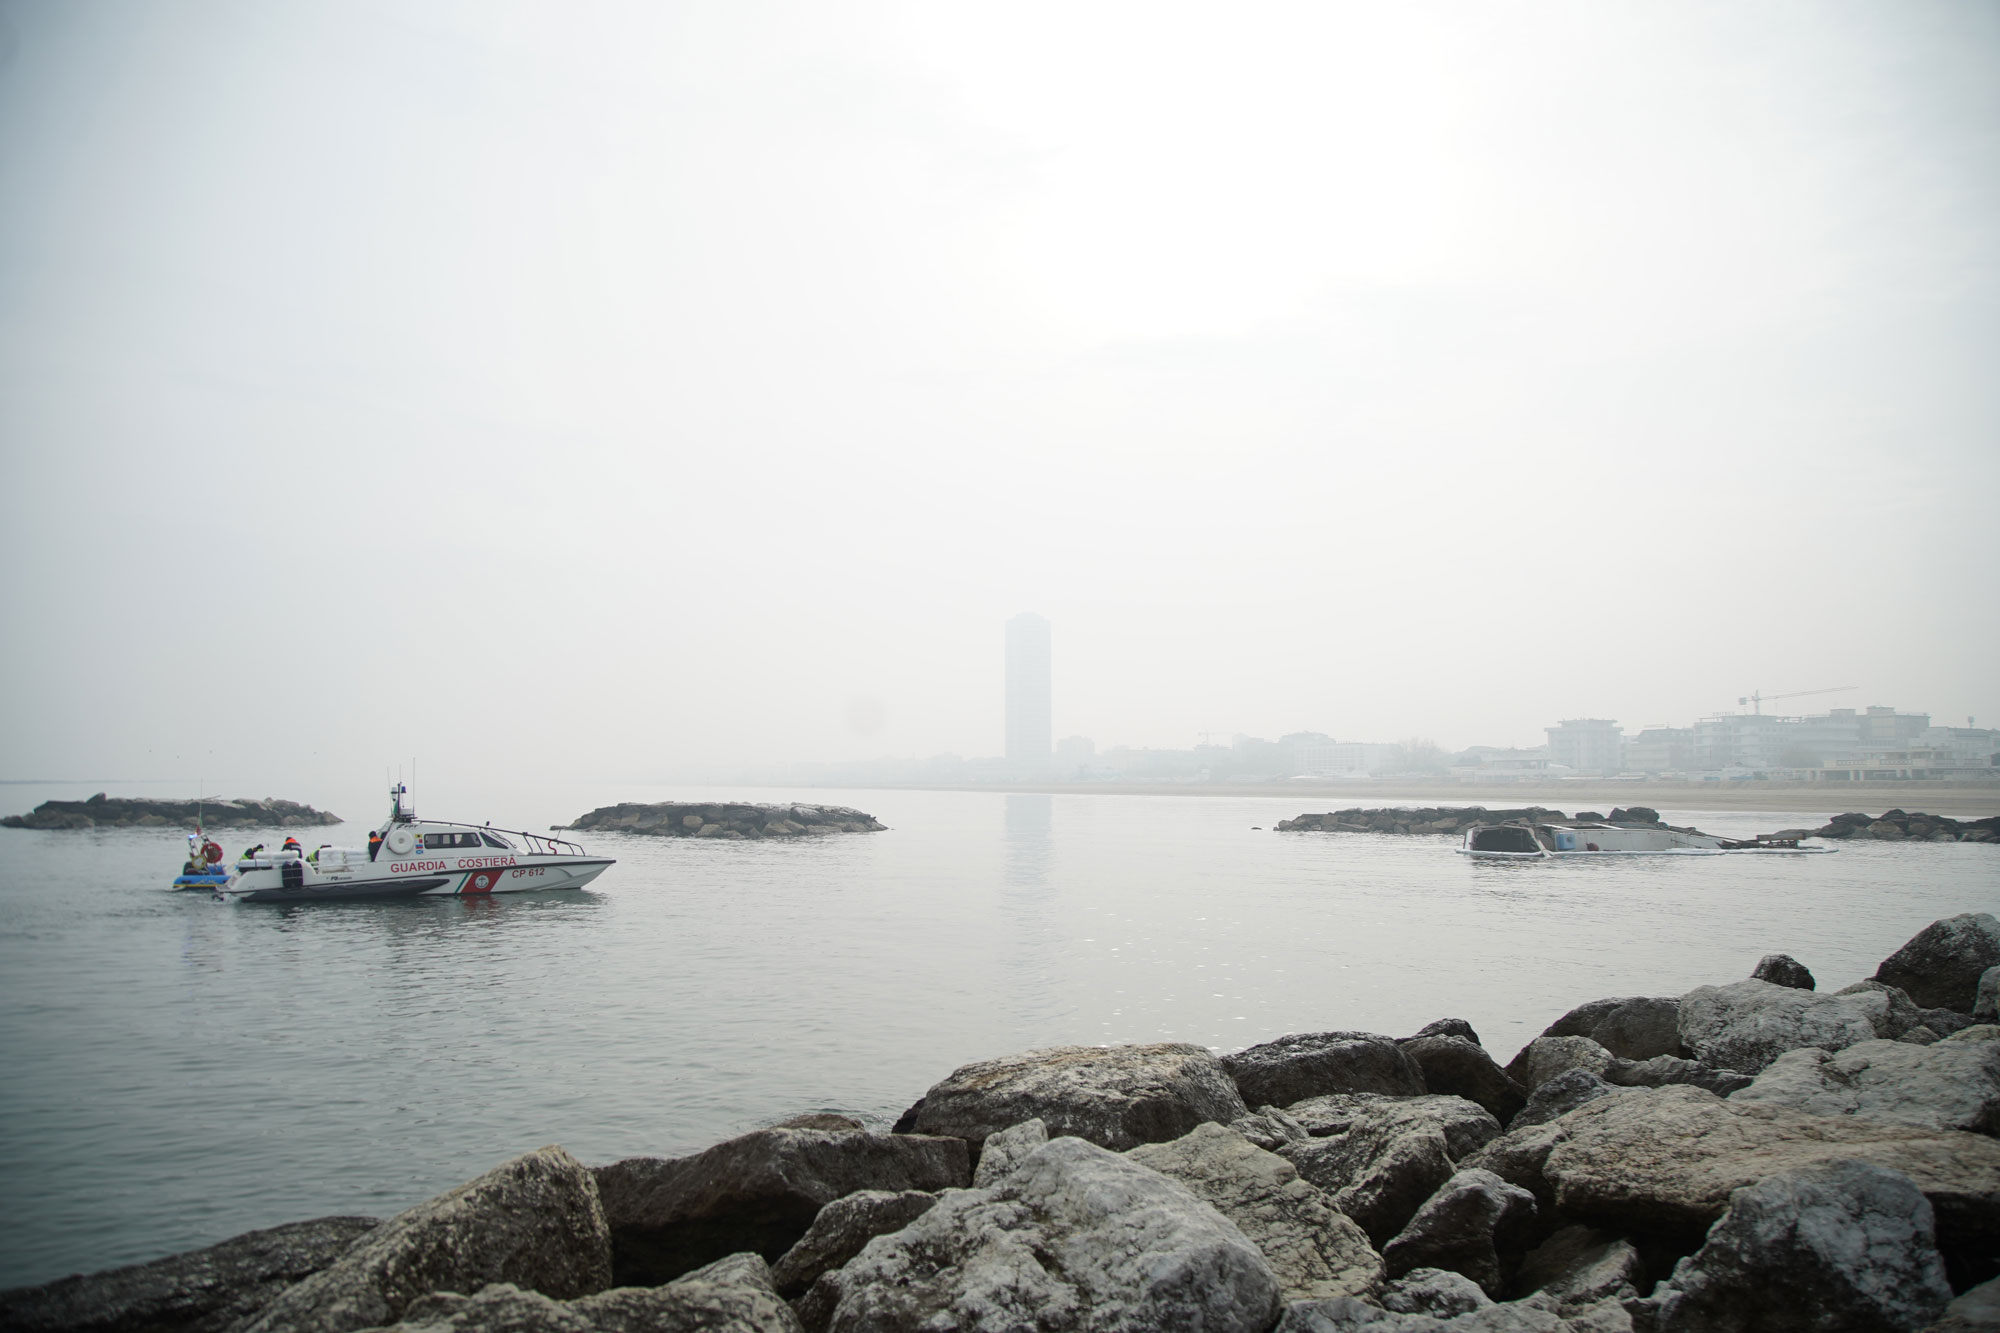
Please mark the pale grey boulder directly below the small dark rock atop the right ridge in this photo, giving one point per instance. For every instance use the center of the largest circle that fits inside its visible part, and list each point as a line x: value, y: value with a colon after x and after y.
x: 1749, y: 1024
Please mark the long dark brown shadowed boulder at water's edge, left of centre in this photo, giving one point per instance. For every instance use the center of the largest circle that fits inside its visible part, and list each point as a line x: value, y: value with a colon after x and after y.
x: 757, y: 1192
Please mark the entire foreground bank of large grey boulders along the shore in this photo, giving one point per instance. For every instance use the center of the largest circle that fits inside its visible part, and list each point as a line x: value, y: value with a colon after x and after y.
x: 1747, y: 1156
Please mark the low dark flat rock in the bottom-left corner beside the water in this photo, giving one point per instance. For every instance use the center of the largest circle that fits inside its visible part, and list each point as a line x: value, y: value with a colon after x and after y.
x: 197, y: 1292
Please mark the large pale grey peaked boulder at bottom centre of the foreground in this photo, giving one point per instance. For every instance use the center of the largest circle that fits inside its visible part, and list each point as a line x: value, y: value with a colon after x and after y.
x: 1073, y: 1240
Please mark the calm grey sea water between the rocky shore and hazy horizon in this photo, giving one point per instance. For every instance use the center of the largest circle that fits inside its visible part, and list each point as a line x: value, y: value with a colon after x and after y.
x: 181, y: 1070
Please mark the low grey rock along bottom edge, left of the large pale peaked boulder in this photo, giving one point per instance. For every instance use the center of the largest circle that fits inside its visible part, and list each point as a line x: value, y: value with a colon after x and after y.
x: 733, y: 1294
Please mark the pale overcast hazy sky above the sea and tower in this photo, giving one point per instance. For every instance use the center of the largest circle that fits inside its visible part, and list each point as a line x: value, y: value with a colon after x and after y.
x: 627, y: 391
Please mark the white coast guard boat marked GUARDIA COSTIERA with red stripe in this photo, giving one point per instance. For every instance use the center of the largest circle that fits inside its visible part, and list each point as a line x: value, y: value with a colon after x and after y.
x: 411, y: 858
